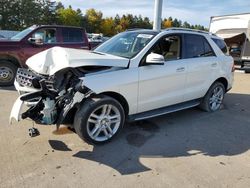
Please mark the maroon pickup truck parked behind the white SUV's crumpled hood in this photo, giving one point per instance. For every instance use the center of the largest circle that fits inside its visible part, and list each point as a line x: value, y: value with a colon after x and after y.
x: 15, y: 51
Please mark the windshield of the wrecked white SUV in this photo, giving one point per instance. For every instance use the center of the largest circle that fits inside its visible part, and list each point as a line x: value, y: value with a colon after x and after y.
x: 127, y: 44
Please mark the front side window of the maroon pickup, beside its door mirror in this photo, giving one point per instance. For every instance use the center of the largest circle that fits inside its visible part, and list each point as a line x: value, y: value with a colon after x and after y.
x: 45, y: 35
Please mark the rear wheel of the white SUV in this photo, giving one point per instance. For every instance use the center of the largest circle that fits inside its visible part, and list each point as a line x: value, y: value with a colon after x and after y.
x: 213, y: 98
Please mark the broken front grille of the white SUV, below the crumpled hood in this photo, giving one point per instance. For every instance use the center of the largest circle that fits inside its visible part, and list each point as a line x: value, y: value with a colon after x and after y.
x: 25, y: 76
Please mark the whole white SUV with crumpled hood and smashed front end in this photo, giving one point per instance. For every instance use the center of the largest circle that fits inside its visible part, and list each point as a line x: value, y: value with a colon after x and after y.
x: 135, y: 75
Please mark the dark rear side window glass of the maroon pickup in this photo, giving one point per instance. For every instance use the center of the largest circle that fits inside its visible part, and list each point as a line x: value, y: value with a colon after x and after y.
x: 72, y: 35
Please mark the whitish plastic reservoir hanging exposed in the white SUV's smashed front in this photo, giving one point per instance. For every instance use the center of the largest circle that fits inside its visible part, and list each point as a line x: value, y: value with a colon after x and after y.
x: 49, y: 111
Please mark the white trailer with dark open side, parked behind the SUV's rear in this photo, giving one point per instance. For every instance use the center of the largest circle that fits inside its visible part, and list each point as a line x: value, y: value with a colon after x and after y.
x: 235, y: 30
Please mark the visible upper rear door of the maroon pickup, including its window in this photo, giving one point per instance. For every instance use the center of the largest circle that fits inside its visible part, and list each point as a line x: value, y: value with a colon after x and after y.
x: 73, y: 38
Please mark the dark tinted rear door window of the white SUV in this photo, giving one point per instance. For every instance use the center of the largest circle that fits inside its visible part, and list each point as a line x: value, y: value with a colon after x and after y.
x: 197, y: 46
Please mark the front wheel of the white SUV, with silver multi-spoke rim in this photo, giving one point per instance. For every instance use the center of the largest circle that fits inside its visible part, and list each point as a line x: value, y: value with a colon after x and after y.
x: 99, y: 119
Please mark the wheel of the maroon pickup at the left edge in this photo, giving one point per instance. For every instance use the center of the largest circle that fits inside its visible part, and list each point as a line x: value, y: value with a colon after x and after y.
x: 7, y: 73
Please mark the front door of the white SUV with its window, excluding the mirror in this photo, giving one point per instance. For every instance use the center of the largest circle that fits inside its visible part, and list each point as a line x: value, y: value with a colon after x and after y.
x: 163, y: 85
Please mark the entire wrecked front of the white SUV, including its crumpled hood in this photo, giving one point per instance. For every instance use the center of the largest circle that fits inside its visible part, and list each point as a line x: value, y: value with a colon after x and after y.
x: 54, y: 83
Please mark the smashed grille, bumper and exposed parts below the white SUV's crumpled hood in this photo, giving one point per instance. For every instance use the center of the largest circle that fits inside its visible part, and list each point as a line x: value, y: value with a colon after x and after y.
x: 53, y: 98
